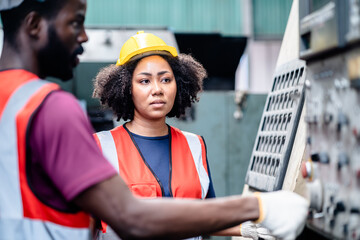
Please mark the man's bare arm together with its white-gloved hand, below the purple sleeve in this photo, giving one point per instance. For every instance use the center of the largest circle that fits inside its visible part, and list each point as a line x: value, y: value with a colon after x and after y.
x: 162, y: 218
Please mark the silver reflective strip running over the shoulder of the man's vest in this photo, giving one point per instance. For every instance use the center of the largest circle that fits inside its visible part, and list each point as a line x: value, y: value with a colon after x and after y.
x: 10, y: 196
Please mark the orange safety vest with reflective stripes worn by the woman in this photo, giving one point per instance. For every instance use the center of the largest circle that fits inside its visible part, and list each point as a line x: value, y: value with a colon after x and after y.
x: 188, y: 164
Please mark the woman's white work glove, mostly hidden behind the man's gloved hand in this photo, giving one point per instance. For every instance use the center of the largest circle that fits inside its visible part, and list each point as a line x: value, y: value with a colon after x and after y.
x: 254, y: 231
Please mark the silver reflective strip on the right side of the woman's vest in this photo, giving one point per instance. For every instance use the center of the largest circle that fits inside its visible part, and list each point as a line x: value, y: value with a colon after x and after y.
x: 195, y: 148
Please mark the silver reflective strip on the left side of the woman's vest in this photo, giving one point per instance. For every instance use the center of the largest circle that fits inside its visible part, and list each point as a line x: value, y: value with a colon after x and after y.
x: 108, y: 148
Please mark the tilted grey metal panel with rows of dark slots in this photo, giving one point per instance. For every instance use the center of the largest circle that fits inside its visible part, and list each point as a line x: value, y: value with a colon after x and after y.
x: 272, y: 149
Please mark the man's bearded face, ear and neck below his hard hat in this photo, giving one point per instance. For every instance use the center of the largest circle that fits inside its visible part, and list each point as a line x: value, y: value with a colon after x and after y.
x: 34, y: 37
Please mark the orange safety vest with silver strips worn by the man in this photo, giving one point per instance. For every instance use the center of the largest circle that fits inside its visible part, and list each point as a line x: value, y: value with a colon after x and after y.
x: 22, y: 214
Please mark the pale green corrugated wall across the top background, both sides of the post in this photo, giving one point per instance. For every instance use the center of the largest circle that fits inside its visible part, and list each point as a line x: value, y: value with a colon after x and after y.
x: 192, y: 16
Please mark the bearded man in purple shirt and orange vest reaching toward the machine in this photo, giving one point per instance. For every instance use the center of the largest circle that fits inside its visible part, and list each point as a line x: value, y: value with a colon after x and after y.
x: 51, y: 170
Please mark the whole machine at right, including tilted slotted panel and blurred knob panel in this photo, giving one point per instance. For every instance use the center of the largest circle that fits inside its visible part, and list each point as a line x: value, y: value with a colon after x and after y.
x: 321, y: 90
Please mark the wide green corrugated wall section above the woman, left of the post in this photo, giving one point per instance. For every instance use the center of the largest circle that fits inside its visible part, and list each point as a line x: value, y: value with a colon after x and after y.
x: 200, y: 16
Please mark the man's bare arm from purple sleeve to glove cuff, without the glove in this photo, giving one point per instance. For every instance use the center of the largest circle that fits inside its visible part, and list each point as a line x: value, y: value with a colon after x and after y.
x: 162, y: 218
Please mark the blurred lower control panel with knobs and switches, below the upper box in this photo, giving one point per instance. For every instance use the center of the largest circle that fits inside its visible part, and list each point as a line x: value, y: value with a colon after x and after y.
x: 333, y: 143
